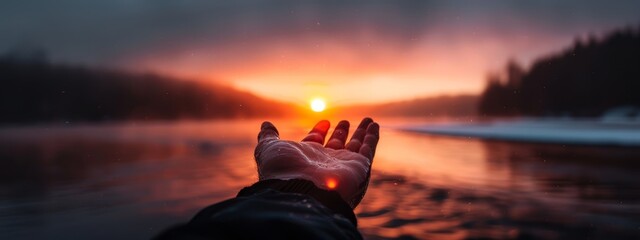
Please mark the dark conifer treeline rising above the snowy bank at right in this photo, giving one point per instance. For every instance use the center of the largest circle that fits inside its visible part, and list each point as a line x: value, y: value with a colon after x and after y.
x: 587, y: 79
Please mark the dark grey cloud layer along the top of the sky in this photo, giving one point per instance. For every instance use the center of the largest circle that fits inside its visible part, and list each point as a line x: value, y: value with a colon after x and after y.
x: 104, y: 32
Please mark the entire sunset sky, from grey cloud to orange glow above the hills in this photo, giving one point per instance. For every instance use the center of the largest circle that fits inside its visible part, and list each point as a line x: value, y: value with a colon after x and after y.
x: 343, y: 51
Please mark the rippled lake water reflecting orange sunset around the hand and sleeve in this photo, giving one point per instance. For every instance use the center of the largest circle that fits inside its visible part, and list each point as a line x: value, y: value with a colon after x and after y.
x: 132, y: 180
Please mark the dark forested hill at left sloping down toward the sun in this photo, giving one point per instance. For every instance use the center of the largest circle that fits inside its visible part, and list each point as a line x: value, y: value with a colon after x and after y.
x: 36, y: 91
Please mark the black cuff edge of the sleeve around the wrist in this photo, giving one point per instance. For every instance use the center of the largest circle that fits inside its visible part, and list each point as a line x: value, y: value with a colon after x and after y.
x: 330, y: 199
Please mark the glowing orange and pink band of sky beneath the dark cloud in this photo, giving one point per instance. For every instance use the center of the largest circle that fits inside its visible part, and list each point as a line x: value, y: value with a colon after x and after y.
x: 360, y: 70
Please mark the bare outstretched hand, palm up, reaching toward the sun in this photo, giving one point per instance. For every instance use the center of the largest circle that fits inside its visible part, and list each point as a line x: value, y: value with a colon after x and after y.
x: 338, y: 165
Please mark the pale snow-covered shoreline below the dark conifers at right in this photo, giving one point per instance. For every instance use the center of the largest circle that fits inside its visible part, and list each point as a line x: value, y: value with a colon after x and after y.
x: 559, y: 131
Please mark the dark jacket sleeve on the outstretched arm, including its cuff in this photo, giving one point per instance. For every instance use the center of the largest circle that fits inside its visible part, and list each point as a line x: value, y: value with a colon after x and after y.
x: 273, y: 209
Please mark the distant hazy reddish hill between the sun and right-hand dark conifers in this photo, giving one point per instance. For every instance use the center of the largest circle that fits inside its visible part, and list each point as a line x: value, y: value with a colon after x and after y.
x: 452, y: 106
